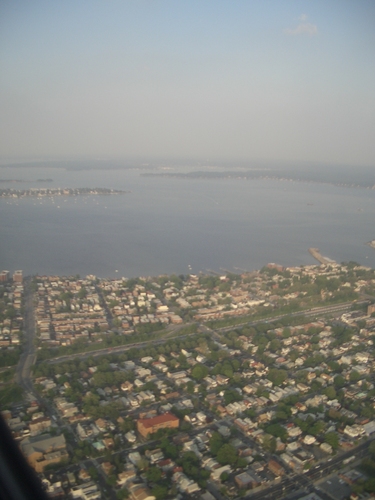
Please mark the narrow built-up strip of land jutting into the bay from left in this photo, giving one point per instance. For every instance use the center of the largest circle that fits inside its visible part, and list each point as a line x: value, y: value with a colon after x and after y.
x: 22, y: 193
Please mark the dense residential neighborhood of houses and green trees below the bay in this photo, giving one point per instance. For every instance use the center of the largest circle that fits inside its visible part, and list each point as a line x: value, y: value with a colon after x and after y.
x: 207, y: 386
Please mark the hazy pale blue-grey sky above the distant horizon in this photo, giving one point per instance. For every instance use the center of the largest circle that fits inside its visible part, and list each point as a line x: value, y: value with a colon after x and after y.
x: 241, y: 79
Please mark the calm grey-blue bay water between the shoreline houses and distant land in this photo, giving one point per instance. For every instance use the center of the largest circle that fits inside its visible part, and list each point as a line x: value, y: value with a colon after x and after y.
x: 166, y: 225
